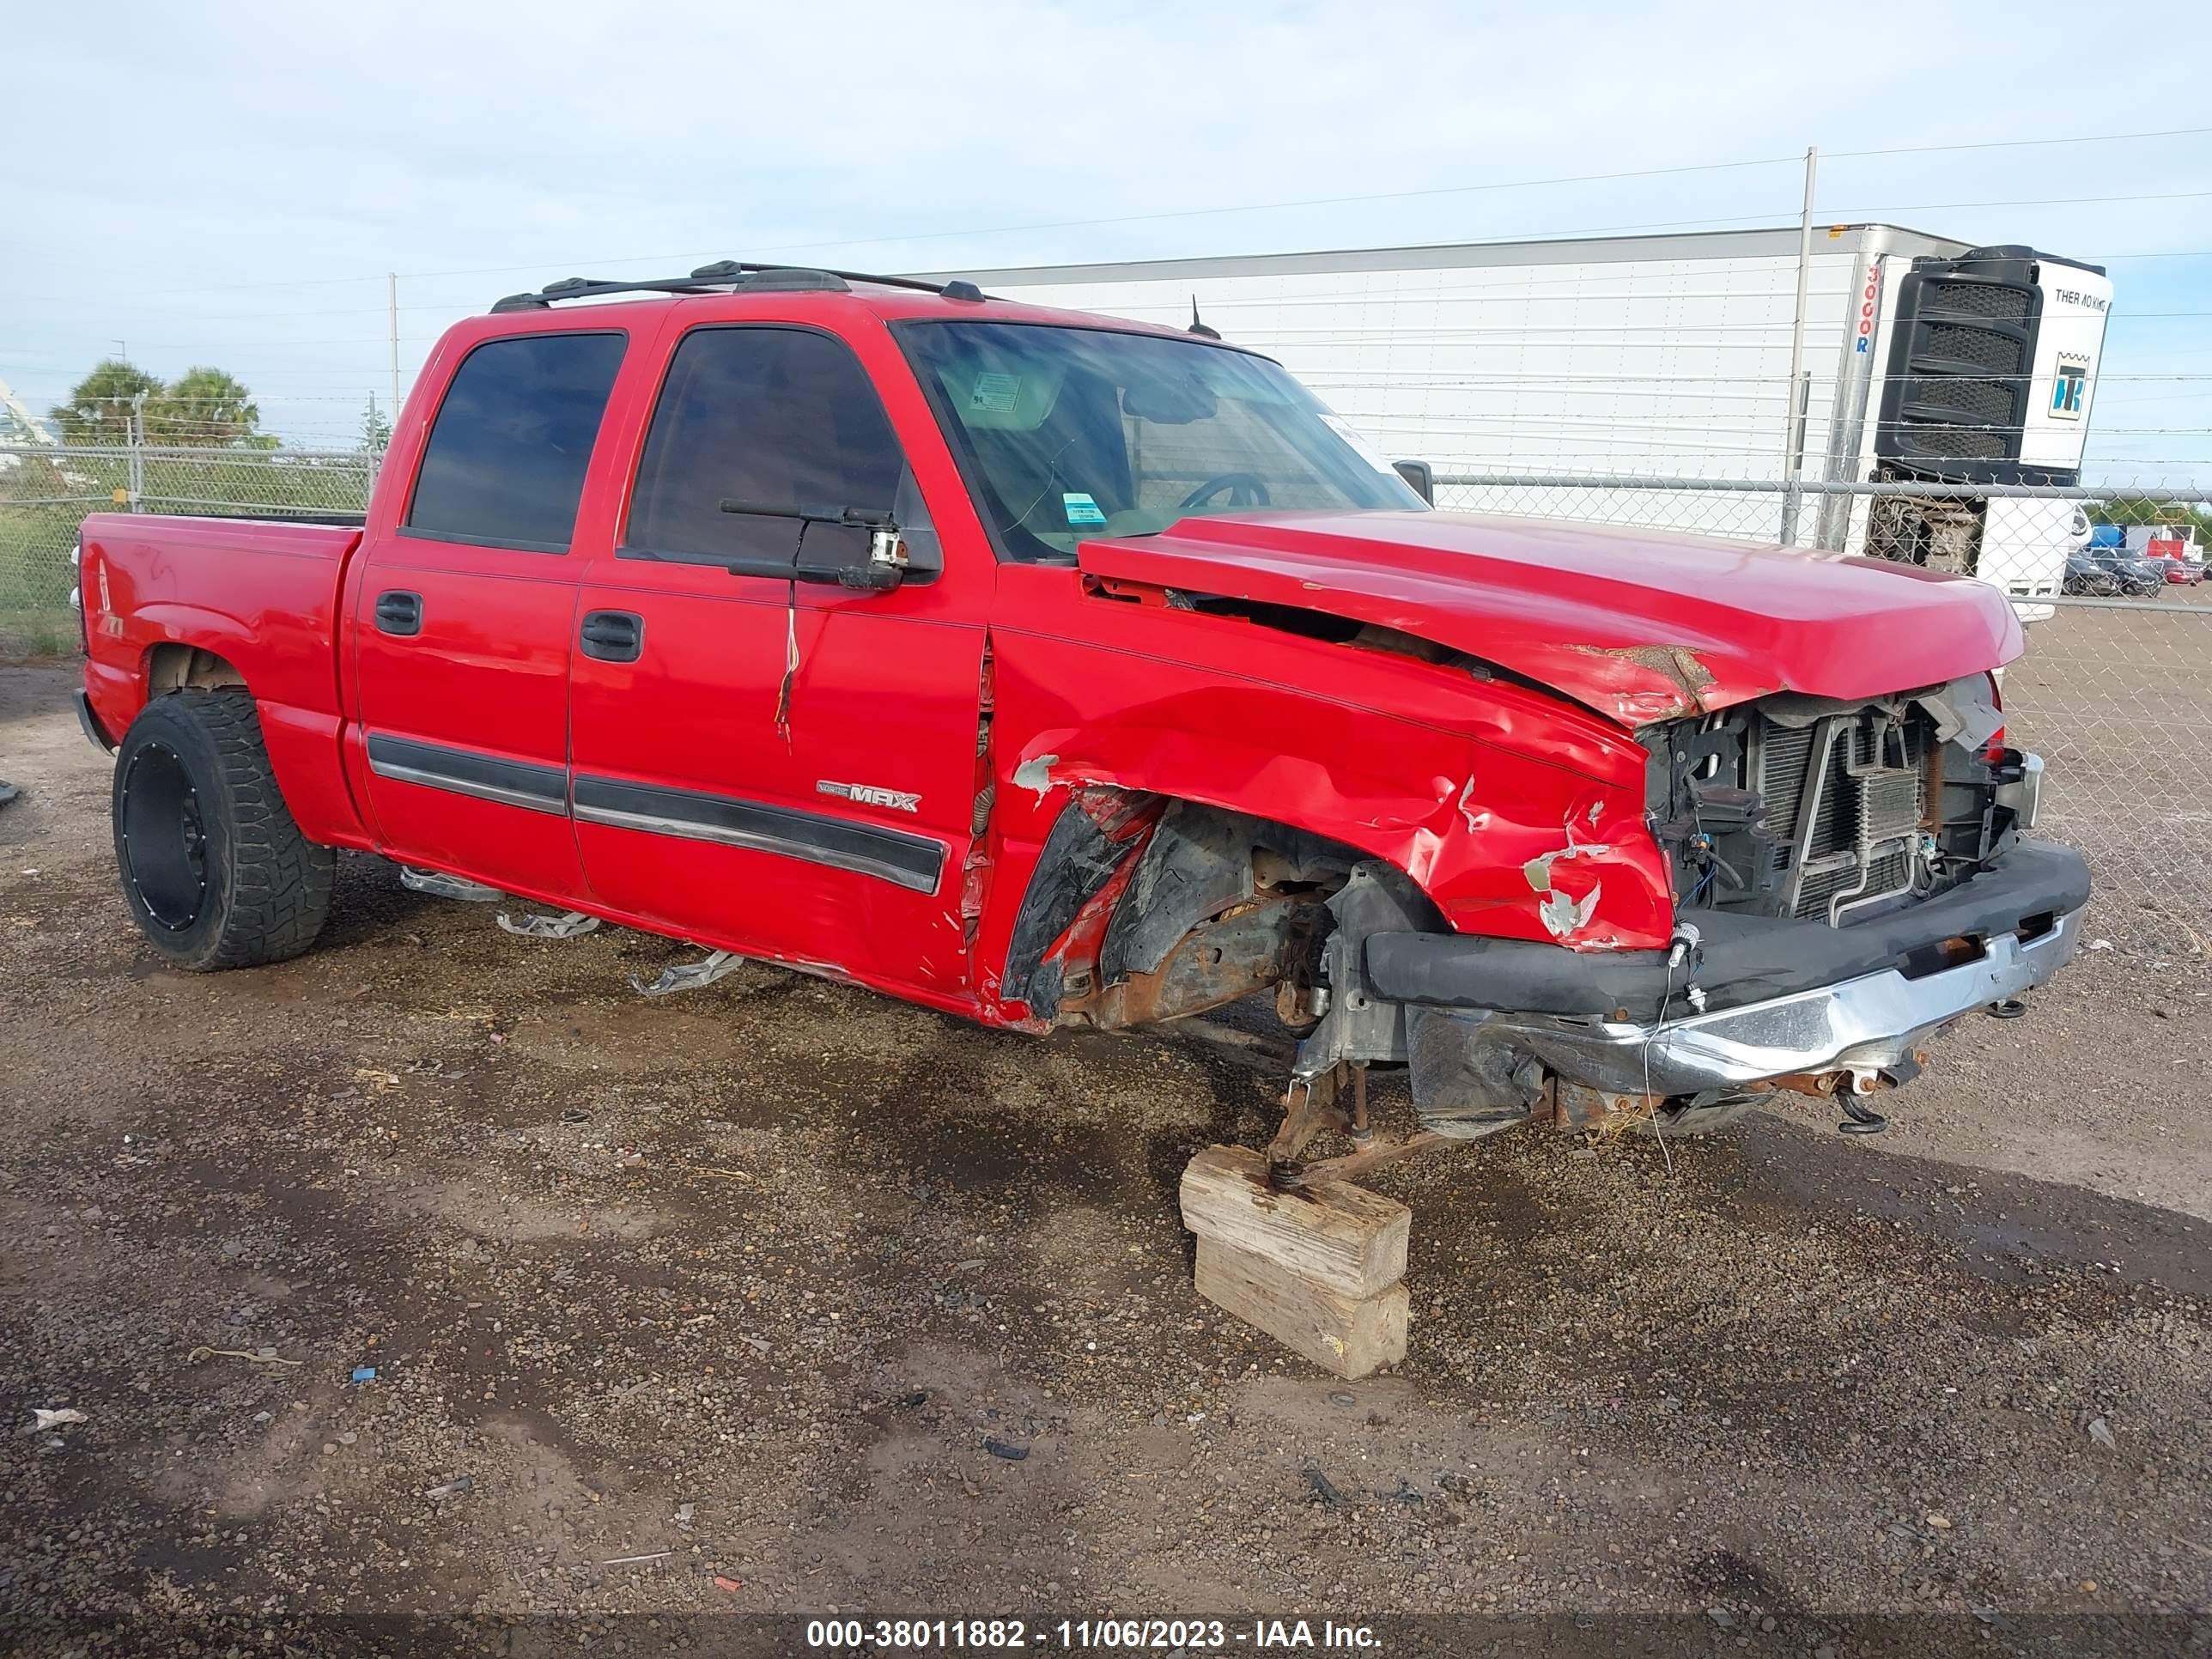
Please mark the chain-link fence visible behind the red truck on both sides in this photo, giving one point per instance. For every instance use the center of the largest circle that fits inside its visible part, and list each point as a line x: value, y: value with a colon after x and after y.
x: 2114, y: 689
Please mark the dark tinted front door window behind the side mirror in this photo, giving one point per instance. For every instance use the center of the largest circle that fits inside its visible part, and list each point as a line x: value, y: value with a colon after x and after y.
x: 771, y: 417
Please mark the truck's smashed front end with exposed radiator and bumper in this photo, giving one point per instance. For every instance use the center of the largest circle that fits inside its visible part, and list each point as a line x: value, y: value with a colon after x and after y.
x: 1848, y: 881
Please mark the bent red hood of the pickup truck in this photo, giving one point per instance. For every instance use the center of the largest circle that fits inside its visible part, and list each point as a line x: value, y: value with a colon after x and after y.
x: 1638, y: 625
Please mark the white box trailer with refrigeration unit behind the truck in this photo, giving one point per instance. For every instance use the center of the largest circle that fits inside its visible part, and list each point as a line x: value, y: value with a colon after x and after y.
x: 1926, y: 362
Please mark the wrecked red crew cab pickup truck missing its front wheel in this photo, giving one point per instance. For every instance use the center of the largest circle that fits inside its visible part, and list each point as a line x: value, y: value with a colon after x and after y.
x: 1056, y: 669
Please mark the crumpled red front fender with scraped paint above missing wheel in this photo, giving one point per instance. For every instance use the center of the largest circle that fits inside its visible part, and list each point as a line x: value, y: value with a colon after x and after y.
x: 1536, y: 839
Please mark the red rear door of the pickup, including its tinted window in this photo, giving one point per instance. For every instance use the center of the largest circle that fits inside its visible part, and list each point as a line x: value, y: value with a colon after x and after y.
x: 466, y: 614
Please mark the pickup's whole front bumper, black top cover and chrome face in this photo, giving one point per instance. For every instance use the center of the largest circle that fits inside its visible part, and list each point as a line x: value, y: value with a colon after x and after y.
x: 1485, y: 1021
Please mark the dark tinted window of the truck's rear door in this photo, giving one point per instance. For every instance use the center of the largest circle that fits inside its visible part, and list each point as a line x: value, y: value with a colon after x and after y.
x: 508, y: 455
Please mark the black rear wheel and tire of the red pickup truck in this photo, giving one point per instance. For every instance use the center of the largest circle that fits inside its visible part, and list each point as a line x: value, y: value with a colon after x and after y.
x: 213, y: 866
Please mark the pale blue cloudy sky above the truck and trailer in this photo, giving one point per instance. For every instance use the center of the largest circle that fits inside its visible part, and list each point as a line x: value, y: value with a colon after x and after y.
x: 229, y: 185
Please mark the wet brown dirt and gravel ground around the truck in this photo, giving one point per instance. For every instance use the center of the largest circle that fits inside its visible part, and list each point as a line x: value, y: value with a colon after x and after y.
x: 740, y: 1304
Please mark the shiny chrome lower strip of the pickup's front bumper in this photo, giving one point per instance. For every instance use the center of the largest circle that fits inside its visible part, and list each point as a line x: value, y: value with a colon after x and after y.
x: 1859, y: 1025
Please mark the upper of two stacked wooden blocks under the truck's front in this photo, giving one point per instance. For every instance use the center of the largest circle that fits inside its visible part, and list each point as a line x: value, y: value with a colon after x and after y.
x: 1335, y: 1235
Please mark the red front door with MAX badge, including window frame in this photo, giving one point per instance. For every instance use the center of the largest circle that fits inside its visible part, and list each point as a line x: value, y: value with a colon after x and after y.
x: 769, y: 764
